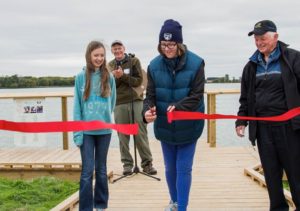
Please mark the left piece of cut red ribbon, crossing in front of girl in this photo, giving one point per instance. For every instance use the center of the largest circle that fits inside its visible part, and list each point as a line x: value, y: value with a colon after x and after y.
x: 41, y: 127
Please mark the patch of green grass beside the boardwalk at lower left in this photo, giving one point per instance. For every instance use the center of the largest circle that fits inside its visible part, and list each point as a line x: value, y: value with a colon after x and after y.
x: 38, y: 194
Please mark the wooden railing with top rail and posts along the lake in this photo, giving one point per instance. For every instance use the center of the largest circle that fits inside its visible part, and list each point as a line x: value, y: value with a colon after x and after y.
x: 211, y: 109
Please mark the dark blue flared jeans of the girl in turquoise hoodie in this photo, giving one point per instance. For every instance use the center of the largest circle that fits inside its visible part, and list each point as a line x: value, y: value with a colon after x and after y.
x: 94, y: 155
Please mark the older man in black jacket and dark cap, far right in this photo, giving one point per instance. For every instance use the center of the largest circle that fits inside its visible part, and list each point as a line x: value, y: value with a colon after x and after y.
x: 270, y: 86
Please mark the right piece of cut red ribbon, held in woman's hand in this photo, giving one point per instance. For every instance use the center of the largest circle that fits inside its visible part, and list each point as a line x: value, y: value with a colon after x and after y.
x: 185, y: 115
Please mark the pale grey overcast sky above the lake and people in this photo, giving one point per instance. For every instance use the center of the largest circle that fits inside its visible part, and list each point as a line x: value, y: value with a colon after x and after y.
x: 49, y: 38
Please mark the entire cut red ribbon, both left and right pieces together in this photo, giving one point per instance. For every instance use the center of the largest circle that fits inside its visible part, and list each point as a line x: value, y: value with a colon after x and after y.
x: 128, y: 129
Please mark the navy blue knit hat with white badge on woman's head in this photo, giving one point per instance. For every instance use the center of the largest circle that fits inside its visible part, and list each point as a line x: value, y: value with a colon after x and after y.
x: 171, y: 31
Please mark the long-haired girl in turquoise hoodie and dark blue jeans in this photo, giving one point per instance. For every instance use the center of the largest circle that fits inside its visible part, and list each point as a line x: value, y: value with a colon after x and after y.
x: 94, y: 99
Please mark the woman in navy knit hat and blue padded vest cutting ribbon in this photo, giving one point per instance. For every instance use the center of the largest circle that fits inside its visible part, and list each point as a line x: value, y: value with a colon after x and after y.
x: 175, y: 82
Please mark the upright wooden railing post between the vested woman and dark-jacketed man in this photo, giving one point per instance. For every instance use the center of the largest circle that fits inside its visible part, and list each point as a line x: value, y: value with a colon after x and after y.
x: 211, y: 124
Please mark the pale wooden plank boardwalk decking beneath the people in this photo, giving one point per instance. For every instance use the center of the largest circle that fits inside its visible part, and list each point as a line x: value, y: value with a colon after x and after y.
x: 218, y: 183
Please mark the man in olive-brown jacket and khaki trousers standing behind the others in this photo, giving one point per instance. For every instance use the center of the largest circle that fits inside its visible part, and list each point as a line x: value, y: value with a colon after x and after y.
x: 127, y: 71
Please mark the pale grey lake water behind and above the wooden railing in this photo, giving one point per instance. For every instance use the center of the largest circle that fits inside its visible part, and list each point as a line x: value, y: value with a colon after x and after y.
x: 226, y: 104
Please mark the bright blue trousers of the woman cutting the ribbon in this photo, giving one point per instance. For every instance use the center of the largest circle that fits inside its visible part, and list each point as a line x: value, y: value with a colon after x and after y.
x: 178, y: 169
